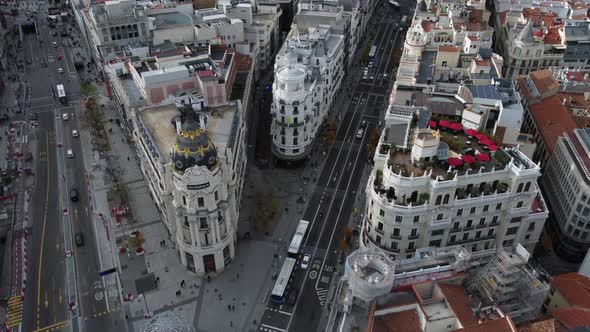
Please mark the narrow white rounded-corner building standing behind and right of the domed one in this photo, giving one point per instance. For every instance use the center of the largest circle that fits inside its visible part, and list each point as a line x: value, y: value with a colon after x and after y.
x: 308, y: 75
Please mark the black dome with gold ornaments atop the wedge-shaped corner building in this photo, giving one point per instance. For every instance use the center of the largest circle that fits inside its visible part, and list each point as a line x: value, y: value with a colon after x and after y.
x: 193, y: 146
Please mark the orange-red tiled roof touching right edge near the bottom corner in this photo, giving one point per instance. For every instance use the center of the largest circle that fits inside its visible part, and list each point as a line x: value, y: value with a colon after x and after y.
x: 574, y: 287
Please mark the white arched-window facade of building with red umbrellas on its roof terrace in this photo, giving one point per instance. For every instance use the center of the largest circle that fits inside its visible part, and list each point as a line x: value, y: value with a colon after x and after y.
x: 499, y: 206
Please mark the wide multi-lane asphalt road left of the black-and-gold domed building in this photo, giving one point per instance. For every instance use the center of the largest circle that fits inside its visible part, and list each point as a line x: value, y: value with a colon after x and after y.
x: 46, y: 298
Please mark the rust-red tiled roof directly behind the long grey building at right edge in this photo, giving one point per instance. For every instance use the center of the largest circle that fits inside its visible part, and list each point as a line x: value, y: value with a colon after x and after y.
x: 552, y: 120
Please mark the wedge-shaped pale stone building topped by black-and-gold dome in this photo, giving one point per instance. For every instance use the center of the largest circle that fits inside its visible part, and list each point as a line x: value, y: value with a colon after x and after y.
x: 193, y: 158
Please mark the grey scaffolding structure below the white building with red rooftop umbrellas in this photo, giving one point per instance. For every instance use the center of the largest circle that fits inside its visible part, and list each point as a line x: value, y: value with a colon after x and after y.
x: 509, y: 282
